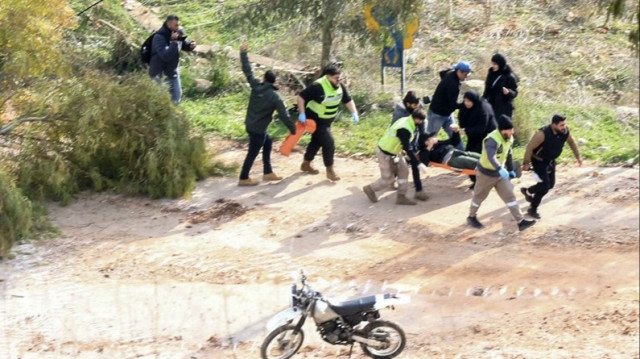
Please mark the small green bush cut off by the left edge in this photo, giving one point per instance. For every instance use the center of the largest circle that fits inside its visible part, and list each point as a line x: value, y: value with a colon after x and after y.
x: 15, y: 214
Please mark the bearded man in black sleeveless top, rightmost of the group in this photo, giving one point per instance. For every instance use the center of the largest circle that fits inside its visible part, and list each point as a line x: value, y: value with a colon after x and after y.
x: 543, y: 149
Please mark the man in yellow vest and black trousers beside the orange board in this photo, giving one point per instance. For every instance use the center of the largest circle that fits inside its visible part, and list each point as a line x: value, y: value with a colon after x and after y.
x: 320, y: 102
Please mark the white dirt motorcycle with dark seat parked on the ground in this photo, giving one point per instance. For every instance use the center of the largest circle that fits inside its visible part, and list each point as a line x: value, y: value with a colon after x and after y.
x: 339, y: 323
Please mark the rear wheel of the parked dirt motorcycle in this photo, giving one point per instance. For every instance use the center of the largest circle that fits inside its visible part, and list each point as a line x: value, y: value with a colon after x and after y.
x: 389, y: 334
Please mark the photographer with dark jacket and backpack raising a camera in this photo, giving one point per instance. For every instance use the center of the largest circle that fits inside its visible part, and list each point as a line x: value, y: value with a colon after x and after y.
x: 165, y: 55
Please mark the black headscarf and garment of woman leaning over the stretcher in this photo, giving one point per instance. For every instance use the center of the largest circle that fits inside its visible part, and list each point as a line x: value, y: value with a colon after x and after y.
x: 477, y: 121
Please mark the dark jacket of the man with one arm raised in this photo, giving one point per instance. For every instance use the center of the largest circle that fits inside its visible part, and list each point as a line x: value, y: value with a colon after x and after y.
x: 262, y: 102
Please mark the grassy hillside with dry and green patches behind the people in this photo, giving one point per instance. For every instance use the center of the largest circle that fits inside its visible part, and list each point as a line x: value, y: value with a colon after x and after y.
x: 566, y: 60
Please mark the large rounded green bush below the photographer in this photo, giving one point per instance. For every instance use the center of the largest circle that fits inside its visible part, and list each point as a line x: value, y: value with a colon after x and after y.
x: 104, y: 134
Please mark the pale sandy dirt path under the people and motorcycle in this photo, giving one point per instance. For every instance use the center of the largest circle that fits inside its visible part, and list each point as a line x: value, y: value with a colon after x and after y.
x: 199, y: 277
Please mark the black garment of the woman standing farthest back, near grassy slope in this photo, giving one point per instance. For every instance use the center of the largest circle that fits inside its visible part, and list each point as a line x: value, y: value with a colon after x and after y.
x: 502, y: 104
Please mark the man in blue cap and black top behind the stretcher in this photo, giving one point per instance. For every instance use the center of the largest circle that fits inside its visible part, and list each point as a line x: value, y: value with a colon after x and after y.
x: 445, y: 99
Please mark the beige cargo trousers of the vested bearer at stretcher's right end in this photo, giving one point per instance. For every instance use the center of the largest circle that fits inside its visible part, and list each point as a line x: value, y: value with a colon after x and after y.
x: 484, y: 184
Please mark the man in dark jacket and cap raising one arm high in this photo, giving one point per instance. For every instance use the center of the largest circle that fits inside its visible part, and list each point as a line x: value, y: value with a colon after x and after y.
x: 264, y: 99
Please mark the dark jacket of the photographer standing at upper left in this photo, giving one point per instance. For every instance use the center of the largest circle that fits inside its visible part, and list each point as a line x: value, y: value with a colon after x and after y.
x: 165, y: 54
